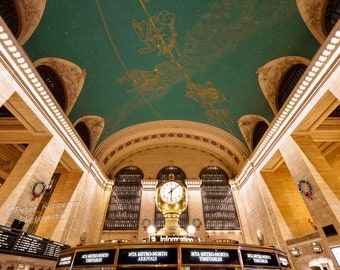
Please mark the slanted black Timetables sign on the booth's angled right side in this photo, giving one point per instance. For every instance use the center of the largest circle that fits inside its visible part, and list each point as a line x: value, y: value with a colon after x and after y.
x: 259, y: 258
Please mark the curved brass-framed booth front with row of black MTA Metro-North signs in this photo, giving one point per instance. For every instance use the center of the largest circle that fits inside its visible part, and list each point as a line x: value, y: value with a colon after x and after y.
x: 173, y: 255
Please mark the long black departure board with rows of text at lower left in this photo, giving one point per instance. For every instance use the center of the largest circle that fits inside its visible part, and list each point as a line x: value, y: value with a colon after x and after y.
x: 14, y: 241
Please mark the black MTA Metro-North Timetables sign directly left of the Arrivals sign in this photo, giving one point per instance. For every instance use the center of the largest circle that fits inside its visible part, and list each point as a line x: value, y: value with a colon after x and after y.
x: 95, y: 257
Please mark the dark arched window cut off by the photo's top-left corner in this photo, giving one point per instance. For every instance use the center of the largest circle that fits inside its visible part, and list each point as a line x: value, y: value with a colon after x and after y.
x: 9, y: 14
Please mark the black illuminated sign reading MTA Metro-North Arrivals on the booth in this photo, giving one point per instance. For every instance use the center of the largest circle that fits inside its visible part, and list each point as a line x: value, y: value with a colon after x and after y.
x: 148, y: 256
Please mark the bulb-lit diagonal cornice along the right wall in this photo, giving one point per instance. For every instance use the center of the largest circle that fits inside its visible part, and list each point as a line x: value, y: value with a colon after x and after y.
x: 322, y: 65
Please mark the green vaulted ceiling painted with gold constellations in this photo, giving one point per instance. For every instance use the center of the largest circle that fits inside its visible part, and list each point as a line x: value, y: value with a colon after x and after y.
x: 151, y: 60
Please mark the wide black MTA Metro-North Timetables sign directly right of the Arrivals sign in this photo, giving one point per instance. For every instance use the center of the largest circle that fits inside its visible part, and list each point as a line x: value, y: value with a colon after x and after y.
x: 209, y: 256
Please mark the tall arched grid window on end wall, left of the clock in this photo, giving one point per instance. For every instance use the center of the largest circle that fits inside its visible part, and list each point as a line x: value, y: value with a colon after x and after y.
x: 124, y: 205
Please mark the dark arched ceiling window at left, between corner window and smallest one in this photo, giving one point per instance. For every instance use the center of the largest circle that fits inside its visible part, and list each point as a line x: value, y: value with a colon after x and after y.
x: 54, y: 84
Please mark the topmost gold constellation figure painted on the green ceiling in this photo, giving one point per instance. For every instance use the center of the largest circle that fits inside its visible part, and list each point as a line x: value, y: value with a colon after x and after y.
x: 158, y: 32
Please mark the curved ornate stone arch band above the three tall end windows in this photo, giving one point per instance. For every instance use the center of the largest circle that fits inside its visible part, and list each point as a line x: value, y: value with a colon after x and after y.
x: 171, y: 133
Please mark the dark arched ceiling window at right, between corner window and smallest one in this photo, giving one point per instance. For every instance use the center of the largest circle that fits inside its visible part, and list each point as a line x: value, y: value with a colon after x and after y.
x: 289, y: 80
